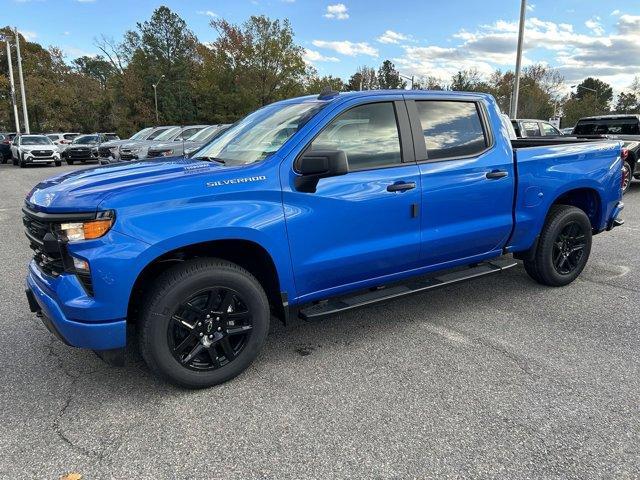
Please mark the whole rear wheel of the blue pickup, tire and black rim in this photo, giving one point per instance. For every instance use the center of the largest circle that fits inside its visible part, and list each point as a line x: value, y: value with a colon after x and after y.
x: 563, y: 248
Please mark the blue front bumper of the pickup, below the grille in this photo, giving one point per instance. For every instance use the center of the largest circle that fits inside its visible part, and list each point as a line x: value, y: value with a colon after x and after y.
x: 92, y: 335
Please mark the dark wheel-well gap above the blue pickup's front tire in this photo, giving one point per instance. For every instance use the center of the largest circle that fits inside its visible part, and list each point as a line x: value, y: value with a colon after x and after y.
x: 249, y: 254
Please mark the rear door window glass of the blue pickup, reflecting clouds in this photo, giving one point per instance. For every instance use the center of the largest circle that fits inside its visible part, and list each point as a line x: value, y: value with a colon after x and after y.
x: 451, y: 129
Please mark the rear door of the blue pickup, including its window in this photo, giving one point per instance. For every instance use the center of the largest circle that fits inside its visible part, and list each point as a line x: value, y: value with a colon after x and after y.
x: 467, y: 182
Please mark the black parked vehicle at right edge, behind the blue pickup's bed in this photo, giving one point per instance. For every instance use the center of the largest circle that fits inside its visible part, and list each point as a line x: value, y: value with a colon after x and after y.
x: 617, y: 127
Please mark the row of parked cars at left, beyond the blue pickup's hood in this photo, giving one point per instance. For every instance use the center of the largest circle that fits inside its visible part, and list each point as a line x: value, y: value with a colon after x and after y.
x: 105, y: 148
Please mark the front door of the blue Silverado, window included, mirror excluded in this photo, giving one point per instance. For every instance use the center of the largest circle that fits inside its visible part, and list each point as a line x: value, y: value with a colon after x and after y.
x: 354, y: 228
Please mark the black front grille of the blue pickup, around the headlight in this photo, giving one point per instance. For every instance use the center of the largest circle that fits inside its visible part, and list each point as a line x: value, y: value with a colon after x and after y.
x: 50, y: 253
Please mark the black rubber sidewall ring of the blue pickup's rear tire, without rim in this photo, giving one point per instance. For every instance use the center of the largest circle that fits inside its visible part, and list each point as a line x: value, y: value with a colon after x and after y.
x: 546, y: 268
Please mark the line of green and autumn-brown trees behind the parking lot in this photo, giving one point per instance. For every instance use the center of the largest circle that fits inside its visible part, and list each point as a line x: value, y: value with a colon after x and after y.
x: 248, y: 65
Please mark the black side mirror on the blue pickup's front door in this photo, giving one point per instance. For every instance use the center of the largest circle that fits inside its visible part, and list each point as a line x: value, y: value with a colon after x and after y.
x: 316, y: 164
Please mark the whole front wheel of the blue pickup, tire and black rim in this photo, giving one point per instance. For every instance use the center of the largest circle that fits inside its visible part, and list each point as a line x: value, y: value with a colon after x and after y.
x: 176, y: 294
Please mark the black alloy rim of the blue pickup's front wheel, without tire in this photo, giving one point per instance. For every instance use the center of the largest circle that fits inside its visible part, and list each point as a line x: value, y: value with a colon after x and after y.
x: 209, y: 329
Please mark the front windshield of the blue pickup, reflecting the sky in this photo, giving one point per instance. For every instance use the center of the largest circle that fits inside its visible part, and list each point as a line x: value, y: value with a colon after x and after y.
x: 260, y: 134
